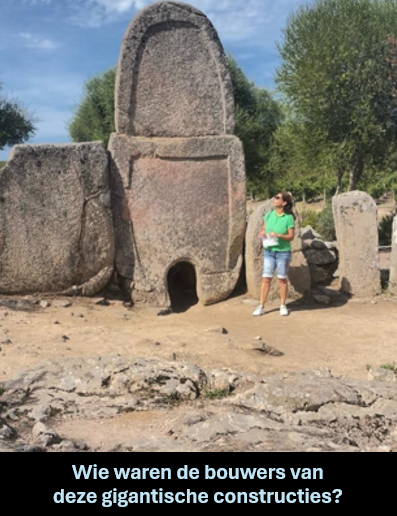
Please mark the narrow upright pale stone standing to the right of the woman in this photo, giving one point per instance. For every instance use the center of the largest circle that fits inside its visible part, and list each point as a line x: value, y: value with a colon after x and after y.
x: 355, y: 216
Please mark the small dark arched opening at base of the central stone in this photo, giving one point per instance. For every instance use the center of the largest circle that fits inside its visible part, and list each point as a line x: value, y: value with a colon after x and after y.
x: 182, y: 283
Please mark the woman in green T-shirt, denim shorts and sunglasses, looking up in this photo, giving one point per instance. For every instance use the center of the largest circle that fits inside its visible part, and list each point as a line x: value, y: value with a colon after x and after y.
x: 279, y: 229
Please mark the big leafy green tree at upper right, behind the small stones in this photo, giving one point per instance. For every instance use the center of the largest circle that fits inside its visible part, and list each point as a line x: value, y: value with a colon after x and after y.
x: 339, y: 77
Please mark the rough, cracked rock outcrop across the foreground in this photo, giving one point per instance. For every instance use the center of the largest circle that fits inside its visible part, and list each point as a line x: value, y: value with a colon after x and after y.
x: 201, y: 410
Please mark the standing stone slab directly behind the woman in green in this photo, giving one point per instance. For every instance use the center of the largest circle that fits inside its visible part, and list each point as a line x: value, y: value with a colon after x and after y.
x: 299, y: 273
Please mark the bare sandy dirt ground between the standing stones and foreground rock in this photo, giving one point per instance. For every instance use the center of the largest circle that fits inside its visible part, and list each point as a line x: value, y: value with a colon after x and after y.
x: 345, y: 338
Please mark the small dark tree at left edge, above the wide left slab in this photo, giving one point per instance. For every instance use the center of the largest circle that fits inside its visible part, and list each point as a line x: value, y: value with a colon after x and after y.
x: 16, y: 125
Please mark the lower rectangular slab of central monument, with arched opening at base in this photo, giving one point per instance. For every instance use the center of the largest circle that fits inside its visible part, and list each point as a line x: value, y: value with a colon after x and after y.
x: 180, y: 200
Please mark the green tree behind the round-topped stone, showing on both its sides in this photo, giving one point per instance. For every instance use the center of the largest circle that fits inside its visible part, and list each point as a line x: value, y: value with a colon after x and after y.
x: 257, y: 117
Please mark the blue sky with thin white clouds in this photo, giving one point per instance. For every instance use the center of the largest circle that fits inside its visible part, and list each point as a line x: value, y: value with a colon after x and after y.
x: 49, y: 48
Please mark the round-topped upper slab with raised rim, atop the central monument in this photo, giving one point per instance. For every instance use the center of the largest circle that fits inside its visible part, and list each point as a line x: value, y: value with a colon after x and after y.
x: 172, y: 77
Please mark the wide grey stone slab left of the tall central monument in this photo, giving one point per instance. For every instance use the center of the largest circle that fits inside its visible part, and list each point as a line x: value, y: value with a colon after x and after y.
x: 56, y: 231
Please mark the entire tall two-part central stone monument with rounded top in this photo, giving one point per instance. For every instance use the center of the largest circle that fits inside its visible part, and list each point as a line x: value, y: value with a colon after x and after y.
x: 177, y: 171
